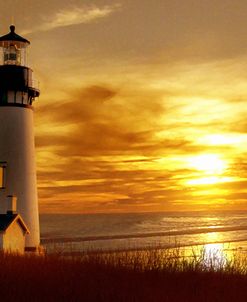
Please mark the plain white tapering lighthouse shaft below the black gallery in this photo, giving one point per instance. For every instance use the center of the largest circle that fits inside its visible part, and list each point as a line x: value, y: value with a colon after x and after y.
x: 17, y: 150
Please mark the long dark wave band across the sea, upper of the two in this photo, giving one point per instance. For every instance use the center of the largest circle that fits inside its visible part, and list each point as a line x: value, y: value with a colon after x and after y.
x: 197, y: 231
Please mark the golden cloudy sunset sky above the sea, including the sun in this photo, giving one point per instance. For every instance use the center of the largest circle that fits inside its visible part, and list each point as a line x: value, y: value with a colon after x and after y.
x: 143, y: 103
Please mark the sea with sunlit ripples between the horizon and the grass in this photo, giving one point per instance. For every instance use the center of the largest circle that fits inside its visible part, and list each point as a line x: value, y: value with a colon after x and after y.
x: 114, y: 232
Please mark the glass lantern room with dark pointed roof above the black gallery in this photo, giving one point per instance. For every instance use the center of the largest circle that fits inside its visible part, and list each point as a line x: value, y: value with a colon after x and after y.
x: 13, y: 49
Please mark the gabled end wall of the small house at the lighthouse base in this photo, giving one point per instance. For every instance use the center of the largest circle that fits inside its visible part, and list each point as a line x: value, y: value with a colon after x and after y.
x: 14, y: 239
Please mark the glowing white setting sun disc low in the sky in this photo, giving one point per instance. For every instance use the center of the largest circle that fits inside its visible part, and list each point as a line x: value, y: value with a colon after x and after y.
x: 209, y: 164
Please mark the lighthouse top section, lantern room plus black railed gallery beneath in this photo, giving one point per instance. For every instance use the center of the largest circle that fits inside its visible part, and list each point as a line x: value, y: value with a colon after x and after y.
x: 17, y: 84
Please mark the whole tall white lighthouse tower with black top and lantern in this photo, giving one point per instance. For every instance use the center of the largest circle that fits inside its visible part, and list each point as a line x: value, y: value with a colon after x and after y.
x: 17, y: 153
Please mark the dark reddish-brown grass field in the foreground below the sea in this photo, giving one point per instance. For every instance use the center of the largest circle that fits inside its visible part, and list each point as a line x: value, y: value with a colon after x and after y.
x: 145, y: 276
